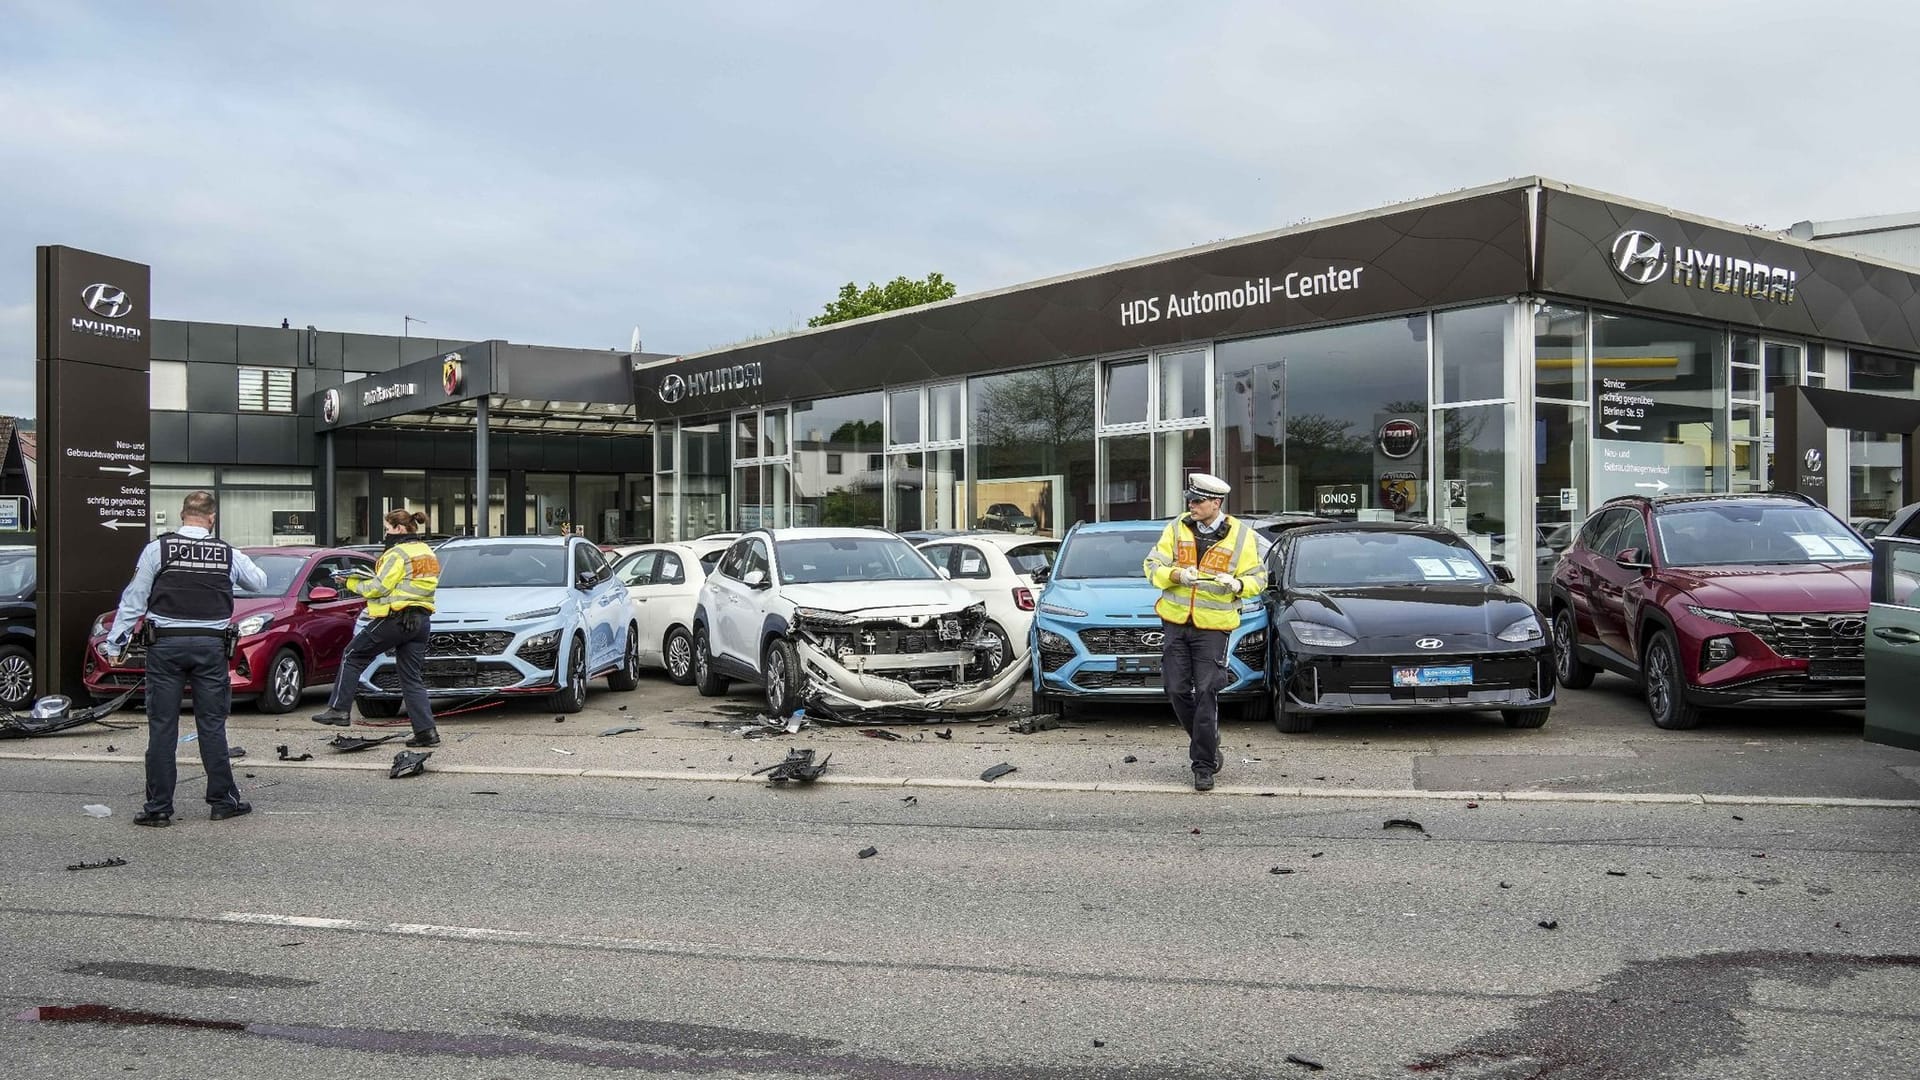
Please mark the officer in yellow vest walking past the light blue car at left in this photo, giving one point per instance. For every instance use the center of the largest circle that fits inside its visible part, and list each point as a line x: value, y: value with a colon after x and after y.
x: 400, y: 606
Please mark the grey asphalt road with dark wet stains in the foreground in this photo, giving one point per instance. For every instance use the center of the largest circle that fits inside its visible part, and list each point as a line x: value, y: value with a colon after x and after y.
x: 529, y: 927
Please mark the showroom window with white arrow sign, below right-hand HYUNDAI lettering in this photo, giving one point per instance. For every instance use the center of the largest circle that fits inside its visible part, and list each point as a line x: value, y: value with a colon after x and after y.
x: 1660, y: 406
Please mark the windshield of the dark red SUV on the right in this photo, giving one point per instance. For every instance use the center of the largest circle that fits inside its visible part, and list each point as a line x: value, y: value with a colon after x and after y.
x: 1754, y: 533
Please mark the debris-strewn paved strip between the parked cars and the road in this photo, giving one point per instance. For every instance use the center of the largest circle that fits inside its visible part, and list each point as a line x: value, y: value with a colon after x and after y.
x: 1596, y: 749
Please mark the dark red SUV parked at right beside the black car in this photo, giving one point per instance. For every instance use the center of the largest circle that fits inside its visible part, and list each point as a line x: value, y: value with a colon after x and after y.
x: 1716, y: 602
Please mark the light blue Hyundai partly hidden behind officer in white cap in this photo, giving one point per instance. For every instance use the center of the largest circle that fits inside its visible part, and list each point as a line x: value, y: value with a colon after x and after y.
x: 1095, y: 635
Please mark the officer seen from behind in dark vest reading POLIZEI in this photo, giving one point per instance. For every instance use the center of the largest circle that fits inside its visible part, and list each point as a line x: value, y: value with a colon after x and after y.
x: 185, y: 587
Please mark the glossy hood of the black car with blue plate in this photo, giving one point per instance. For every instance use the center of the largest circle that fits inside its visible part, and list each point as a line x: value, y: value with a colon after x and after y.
x: 1472, y: 612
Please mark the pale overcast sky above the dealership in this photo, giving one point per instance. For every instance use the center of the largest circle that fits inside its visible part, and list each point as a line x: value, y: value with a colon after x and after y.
x: 713, y: 172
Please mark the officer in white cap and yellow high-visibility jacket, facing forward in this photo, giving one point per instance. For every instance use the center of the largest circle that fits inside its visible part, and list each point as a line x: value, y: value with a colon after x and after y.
x: 1205, y: 566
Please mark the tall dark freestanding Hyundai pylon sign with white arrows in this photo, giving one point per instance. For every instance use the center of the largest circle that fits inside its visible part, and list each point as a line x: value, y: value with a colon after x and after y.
x: 95, y: 326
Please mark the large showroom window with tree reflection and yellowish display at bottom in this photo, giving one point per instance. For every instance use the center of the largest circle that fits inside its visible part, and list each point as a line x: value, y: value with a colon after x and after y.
x: 1032, y: 445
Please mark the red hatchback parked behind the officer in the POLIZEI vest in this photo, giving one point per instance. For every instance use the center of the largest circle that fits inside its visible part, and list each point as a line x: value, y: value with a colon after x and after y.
x: 291, y: 633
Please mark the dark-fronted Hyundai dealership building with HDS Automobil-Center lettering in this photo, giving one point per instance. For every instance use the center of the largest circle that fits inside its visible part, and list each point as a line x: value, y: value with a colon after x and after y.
x: 1499, y: 360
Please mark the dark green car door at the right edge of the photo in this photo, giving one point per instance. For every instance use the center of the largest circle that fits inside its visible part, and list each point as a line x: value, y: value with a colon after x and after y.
x: 1894, y: 643
